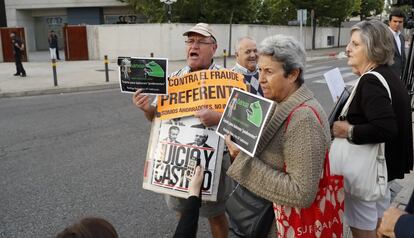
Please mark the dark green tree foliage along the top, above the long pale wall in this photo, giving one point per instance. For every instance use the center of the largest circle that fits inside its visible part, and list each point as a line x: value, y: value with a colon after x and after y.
x: 271, y: 12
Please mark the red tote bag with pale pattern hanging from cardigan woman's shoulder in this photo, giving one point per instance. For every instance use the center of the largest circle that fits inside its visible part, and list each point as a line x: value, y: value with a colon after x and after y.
x: 324, y: 217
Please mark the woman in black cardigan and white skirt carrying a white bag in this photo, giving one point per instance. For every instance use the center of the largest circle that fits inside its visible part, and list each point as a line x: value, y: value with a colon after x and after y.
x: 373, y: 117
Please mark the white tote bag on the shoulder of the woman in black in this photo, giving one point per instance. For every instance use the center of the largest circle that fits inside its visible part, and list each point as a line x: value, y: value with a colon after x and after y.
x: 363, y: 166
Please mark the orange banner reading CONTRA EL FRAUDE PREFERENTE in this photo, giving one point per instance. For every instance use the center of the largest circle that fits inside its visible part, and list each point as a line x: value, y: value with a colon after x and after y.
x: 194, y: 91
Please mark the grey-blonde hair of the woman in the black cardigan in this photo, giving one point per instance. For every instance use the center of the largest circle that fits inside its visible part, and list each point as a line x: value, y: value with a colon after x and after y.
x: 378, y: 39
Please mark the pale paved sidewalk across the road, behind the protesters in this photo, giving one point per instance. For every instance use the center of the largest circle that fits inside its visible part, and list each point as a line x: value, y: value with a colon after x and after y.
x: 74, y: 76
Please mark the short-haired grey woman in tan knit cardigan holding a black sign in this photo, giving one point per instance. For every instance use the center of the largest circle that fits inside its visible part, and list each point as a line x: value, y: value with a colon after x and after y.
x: 289, y: 161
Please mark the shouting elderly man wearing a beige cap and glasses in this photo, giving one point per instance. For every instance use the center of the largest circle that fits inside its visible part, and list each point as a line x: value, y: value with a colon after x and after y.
x: 201, y: 45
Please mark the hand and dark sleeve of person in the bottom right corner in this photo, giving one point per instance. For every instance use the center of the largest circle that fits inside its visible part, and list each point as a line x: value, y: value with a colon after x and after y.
x: 398, y: 223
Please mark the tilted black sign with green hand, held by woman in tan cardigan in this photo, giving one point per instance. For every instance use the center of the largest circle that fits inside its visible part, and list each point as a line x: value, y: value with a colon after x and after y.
x: 244, y: 118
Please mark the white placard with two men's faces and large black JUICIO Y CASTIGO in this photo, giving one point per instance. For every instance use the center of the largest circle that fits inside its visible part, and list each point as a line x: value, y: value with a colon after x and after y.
x: 173, y: 143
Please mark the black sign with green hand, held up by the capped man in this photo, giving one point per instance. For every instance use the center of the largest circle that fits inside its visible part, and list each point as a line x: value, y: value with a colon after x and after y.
x: 148, y: 74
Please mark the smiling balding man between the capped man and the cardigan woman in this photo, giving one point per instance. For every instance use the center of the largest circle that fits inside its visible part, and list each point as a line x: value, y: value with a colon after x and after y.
x: 246, y: 63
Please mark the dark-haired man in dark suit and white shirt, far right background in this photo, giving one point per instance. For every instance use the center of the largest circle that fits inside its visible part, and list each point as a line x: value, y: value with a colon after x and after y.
x: 396, y: 21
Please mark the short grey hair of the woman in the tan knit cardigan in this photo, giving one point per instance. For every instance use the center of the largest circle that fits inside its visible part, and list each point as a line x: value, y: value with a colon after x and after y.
x: 286, y: 50
